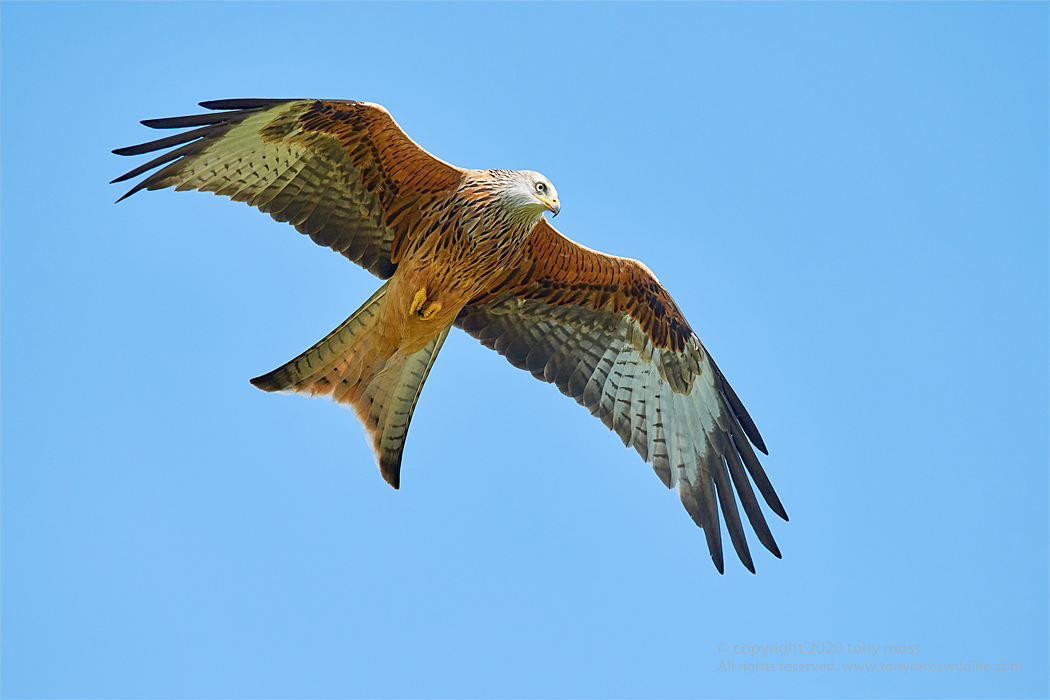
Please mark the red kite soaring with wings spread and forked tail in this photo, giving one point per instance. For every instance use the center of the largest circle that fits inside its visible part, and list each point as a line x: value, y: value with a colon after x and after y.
x: 472, y: 249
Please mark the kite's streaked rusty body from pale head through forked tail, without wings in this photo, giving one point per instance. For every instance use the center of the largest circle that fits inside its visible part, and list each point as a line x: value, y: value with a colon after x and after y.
x: 463, y: 253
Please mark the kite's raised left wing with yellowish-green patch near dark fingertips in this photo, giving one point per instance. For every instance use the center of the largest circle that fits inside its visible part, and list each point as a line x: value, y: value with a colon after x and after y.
x: 343, y: 173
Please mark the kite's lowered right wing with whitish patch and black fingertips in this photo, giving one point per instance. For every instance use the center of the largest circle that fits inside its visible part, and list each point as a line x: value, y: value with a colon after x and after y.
x: 607, y: 333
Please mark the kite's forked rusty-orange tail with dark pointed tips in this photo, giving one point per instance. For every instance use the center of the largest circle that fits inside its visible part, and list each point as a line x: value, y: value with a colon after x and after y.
x: 353, y: 367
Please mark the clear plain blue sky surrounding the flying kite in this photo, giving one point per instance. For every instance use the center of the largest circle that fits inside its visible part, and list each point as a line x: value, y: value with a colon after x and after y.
x: 849, y: 202
